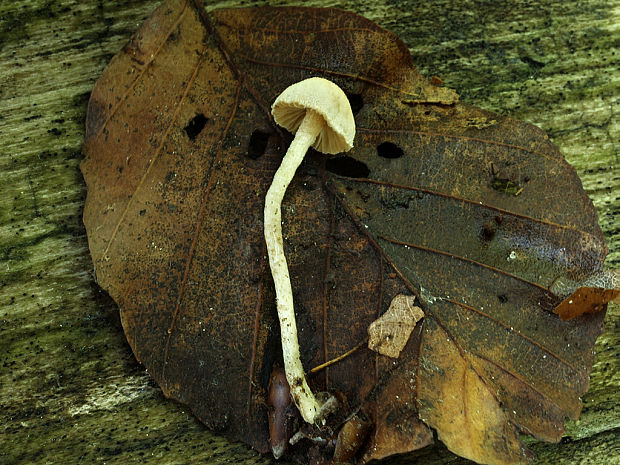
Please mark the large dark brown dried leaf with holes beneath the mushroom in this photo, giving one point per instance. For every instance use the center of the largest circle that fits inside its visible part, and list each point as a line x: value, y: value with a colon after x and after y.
x: 180, y: 149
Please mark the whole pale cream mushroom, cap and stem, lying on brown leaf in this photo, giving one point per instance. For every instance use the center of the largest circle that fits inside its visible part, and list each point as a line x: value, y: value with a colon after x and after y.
x: 319, y: 114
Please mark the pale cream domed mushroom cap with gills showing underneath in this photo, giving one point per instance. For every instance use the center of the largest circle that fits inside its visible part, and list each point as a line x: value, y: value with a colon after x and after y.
x: 326, y: 99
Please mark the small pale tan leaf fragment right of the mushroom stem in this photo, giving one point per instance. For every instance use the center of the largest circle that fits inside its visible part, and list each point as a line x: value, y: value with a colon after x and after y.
x: 389, y: 333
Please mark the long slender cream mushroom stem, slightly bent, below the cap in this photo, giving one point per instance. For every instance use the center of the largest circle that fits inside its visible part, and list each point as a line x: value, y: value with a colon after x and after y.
x: 306, y: 135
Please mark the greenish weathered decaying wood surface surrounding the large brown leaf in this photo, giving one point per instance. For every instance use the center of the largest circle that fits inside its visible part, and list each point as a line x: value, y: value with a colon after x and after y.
x: 70, y: 389
